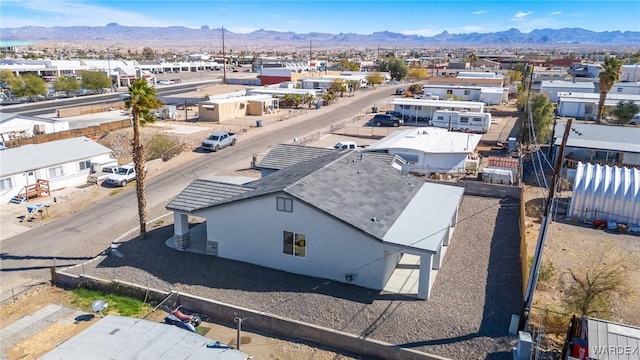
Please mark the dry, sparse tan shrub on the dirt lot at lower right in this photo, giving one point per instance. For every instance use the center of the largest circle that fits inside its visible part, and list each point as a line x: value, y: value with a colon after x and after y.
x: 592, y: 289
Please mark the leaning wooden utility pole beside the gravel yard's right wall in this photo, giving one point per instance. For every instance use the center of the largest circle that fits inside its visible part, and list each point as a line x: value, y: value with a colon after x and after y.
x: 542, y: 236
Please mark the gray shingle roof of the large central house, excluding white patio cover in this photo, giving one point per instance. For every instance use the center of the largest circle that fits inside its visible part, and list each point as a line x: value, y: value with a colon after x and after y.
x: 350, y: 186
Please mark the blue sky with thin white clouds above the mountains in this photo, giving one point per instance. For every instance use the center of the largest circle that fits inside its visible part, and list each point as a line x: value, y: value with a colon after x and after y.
x: 426, y: 18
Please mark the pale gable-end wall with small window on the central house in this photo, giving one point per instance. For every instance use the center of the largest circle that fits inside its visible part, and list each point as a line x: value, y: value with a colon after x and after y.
x: 333, y: 249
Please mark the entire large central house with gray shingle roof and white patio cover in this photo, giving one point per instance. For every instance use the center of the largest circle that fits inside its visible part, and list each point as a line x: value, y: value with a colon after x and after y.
x: 344, y: 216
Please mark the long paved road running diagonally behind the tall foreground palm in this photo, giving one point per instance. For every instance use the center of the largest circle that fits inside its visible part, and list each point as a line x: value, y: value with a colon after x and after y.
x: 26, y: 258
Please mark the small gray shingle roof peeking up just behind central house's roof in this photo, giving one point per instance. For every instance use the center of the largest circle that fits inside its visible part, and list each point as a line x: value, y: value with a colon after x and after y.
x: 285, y: 155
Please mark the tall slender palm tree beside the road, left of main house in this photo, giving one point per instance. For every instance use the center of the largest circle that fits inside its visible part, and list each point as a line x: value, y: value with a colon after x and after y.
x: 142, y: 99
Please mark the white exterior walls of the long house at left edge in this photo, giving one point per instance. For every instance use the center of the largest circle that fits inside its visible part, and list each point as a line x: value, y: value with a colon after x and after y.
x: 59, y: 176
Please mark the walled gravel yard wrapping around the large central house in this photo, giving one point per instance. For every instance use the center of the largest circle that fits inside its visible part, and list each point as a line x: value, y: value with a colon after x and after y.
x: 467, y: 317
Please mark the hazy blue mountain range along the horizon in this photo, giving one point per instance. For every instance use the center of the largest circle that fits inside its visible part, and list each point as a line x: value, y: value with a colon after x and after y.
x: 183, y: 37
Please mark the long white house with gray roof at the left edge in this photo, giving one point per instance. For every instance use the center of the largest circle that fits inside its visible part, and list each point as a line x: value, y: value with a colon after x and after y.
x: 54, y: 165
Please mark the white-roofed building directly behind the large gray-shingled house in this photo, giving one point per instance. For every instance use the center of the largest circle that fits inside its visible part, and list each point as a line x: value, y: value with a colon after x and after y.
x: 430, y: 150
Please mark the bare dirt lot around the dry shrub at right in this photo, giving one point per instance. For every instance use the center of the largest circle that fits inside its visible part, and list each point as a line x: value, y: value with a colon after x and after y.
x: 572, y: 244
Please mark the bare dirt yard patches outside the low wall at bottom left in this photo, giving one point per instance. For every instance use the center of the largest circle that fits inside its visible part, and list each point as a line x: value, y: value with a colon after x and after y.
x: 259, y: 346
